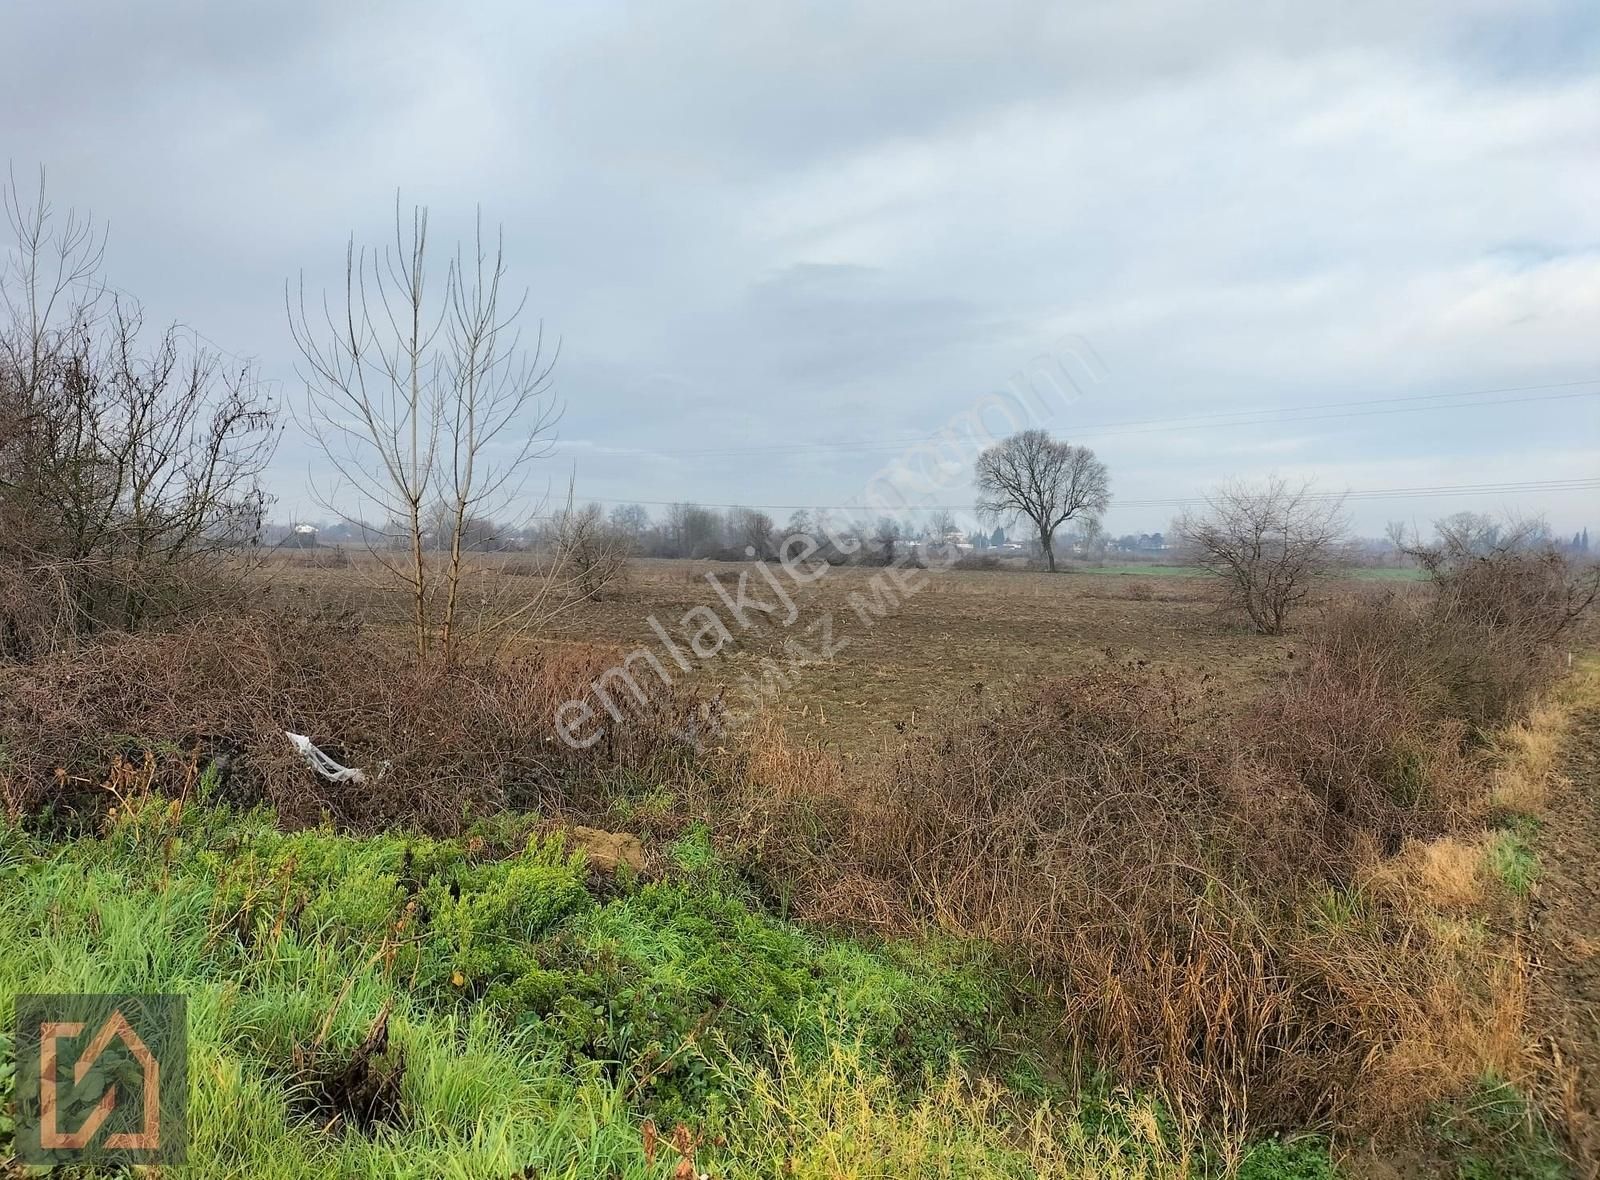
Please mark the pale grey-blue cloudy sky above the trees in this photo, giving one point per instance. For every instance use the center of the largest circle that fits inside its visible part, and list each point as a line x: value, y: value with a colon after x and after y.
x: 1358, y: 242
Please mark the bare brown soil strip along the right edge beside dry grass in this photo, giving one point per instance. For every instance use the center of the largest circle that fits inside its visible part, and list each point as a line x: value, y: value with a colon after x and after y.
x: 1567, y: 939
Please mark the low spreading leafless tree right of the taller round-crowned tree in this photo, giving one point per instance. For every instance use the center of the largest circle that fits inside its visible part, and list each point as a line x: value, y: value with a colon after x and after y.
x: 1266, y: 544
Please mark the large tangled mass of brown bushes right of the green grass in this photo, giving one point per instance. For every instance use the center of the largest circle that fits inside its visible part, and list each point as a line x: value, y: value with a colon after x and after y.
x: 1212, y: 898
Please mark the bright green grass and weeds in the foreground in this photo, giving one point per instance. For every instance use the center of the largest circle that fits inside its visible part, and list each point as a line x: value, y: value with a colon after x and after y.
x: 538, y: 1021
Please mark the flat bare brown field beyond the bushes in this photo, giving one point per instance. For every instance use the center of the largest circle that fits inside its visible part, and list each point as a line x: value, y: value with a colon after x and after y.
x: 954, y: 632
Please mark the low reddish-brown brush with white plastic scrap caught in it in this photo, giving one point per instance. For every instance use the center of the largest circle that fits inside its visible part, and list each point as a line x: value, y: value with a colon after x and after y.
x: 438, y: 744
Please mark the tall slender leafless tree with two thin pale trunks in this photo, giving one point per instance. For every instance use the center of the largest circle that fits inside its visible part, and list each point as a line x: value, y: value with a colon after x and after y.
x: 423, y: 399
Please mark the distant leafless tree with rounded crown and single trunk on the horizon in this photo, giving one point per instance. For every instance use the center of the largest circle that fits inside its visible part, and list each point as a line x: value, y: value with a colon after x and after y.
x: 1033, y: 476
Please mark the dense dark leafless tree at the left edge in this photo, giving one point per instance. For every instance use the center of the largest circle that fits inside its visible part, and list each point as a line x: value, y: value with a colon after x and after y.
x: 129, y: 468
